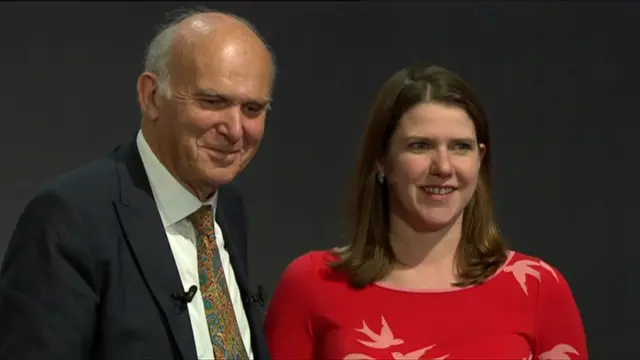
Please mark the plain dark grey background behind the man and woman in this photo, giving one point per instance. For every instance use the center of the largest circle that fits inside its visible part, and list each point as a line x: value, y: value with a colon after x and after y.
x: 558, y: 80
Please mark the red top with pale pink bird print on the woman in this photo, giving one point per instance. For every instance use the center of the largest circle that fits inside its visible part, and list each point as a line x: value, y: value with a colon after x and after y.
x: 525, y: 311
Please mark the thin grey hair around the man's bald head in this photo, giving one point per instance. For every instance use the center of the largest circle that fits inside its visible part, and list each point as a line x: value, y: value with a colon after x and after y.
x: 158, y: 54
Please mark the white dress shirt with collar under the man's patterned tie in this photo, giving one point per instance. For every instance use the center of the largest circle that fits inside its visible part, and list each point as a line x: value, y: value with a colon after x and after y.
x: 175, y: 203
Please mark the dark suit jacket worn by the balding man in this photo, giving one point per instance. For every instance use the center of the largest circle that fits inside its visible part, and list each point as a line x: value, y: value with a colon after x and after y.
x: 89, y: 273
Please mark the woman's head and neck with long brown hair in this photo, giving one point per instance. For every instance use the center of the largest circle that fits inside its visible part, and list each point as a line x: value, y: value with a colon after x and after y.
x: 427, y: 133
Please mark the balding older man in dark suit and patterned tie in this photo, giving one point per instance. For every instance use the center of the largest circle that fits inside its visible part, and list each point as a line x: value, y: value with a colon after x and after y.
x: 122, y: 259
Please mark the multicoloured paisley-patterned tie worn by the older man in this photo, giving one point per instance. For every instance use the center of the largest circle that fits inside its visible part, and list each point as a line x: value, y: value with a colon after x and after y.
x: 223, y: 326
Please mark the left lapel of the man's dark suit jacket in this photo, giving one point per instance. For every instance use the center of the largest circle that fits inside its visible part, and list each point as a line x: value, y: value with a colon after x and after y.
x: 149, y: 244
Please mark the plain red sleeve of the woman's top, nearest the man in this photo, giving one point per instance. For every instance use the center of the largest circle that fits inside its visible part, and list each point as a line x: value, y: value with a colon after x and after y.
x: 288, y: 318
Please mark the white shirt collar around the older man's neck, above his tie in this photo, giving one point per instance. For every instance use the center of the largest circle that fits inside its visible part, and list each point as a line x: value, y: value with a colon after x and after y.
x: 174, y: 202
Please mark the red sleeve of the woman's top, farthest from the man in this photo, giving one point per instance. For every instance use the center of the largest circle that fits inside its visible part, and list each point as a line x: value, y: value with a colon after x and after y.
x: 559, y: 329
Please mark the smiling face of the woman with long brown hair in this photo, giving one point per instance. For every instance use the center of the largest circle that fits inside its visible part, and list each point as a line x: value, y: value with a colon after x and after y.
x: 432, y: 165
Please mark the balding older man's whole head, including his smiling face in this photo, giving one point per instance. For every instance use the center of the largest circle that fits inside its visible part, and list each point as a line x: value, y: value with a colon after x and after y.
x: 205, y: 94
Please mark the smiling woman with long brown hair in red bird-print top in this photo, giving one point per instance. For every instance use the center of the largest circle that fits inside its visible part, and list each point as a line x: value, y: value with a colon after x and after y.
x: 427, y: 274
